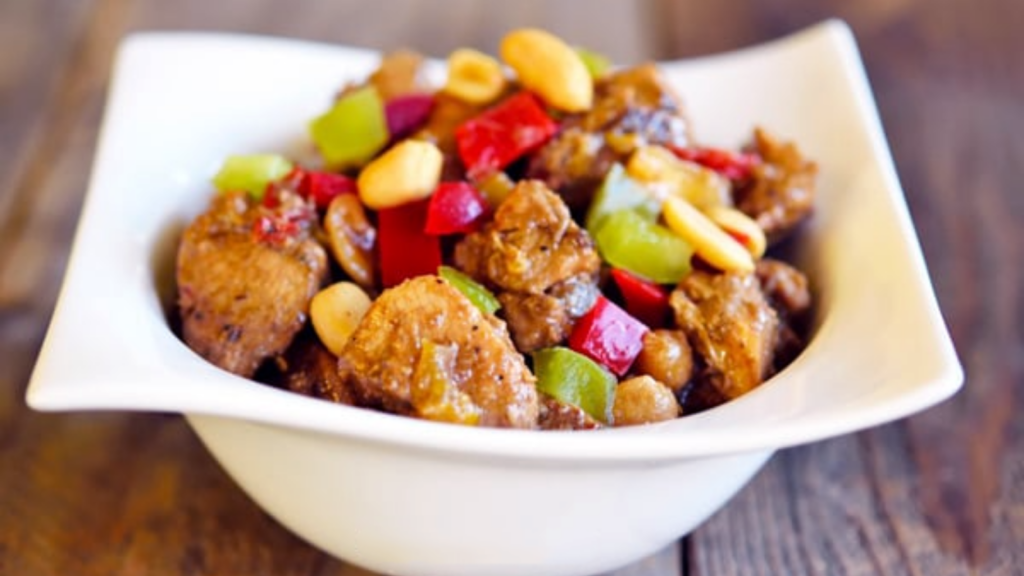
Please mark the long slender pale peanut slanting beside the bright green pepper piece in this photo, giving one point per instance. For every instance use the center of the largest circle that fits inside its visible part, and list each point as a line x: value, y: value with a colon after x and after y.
x: 709, y: 241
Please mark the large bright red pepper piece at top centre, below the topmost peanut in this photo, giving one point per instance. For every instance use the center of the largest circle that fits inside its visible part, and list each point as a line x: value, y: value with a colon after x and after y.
x: 500, y: 136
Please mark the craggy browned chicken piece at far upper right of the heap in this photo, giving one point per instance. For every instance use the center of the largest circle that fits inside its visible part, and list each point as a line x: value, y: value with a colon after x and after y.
x: 781, y: 192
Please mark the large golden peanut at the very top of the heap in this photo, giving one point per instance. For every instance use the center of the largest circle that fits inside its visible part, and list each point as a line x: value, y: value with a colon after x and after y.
x: 550, y: 68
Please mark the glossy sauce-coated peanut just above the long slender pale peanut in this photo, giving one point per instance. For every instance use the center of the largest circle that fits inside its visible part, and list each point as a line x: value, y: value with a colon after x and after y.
x: 661, y: 169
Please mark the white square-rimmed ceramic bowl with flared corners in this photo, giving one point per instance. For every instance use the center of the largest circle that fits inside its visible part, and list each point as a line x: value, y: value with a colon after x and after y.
x: 406, y: 497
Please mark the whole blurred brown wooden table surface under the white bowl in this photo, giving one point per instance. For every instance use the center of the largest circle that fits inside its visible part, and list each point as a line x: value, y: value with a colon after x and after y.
x: 940, y: 493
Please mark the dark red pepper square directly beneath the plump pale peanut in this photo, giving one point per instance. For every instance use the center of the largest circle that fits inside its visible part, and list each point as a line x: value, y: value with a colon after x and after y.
x: 406, y: 251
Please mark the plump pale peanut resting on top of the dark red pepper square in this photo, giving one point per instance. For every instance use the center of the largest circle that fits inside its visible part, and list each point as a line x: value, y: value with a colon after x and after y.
x: 409, y: 172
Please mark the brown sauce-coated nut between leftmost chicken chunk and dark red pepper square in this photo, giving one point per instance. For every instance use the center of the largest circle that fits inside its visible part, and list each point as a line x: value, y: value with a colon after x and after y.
x: 352, y: 238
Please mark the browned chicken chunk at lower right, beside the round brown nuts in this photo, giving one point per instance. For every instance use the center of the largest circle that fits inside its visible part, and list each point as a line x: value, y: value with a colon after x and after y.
x: 730, y: 323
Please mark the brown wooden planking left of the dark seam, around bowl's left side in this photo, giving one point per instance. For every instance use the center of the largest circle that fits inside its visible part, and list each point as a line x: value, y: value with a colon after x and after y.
x: 139, y: 495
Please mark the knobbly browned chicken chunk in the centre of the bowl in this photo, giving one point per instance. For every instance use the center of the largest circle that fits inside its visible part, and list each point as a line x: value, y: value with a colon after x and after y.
x: 542, y: 264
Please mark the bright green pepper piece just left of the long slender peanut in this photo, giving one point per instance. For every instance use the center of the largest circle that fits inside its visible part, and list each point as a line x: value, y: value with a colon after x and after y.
x: 629, y: 241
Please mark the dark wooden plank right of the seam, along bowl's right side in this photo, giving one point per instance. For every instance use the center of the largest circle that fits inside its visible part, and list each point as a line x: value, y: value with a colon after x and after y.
x: 941, y: 493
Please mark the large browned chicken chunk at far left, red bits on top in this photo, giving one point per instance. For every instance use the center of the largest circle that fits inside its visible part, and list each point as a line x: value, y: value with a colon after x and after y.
x: 246, y: 274
